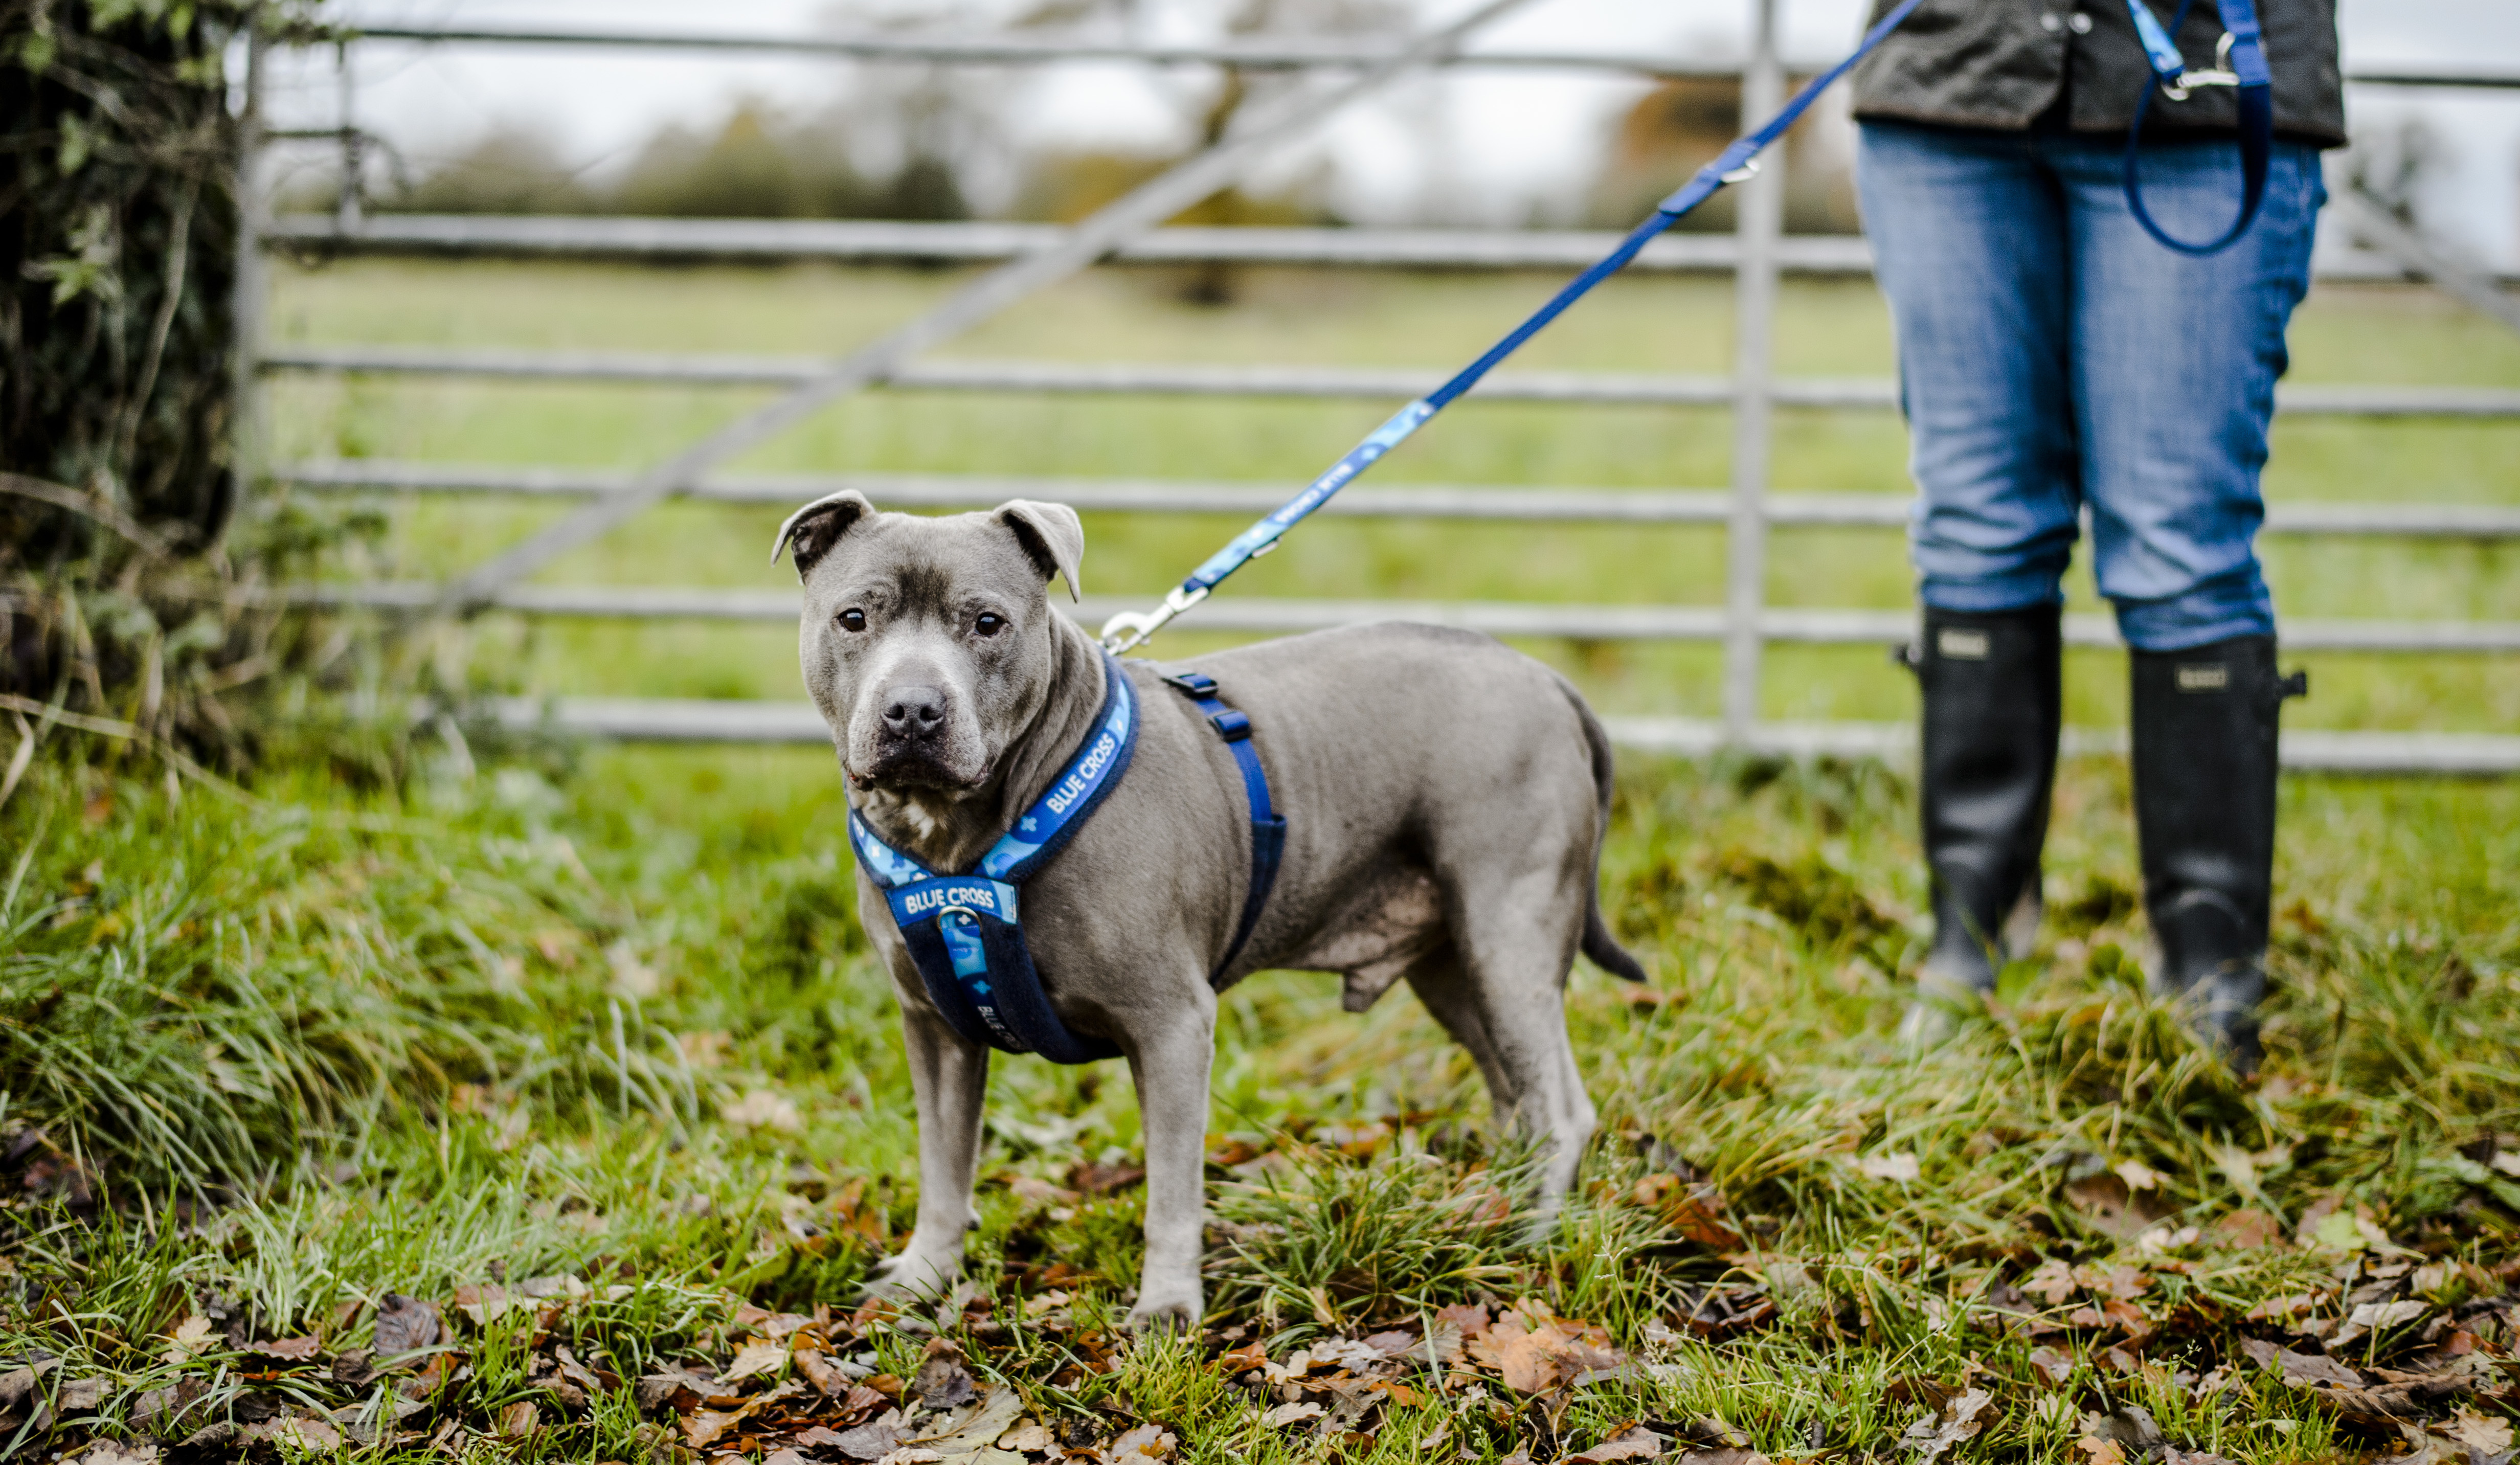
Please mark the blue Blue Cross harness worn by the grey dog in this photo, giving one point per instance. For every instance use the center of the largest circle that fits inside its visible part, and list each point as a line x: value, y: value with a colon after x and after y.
x: 966, y: 934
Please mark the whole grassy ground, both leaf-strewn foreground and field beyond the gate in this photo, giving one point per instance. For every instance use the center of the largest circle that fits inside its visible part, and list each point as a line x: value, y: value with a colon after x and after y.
x: 543, y: 1103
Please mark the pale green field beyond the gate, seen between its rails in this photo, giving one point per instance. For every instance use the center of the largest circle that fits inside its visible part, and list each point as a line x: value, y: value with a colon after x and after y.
x: 1291, y: 316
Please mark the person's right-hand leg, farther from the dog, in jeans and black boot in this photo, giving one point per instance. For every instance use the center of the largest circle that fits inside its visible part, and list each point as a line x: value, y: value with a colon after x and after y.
x: 2176, y: 367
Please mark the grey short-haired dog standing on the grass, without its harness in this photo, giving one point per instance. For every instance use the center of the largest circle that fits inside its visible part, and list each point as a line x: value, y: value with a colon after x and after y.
x: 1445, y: 808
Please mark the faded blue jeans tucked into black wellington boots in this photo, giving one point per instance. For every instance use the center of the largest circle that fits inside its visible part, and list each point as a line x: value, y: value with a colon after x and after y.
x: 2053, y: 359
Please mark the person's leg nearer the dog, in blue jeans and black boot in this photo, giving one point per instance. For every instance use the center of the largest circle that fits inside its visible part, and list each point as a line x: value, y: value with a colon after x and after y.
x: 1969, y: 238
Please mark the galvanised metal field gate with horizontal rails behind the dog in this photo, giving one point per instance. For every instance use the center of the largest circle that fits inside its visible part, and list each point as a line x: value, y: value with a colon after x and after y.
x: 1755, y: 253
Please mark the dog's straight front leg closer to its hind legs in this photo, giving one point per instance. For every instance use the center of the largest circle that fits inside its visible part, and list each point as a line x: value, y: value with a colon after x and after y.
x: 1173, y: 1111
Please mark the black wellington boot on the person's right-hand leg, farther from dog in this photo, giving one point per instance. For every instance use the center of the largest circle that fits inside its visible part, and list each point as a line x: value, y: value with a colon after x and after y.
x: 2206, y: 823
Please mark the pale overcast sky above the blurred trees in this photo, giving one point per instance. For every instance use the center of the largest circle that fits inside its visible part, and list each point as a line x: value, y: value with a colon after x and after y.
x: 1470, y: 148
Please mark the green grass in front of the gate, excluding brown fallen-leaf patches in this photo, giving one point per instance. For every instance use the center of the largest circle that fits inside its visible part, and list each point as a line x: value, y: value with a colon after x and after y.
x: 611, y: 1017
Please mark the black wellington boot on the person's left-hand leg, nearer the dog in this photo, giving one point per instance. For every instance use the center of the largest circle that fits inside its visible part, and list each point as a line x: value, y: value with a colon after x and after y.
x: 1990, y: 763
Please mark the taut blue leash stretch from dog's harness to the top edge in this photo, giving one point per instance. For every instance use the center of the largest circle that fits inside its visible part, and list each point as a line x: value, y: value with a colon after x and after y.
x: 1732, y: 165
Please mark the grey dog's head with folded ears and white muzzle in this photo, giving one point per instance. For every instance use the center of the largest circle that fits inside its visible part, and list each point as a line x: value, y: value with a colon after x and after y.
x: 929, y: 642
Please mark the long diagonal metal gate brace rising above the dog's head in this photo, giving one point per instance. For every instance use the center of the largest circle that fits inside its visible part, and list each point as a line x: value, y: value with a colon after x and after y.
x: 1090, y: 241
